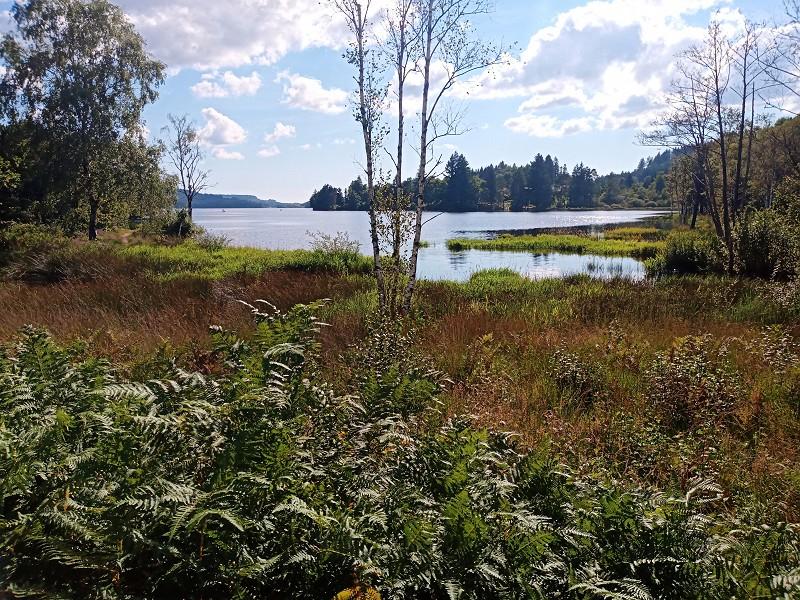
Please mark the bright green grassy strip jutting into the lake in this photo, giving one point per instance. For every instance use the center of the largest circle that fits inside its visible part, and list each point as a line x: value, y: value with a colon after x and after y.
x: 636, y: 242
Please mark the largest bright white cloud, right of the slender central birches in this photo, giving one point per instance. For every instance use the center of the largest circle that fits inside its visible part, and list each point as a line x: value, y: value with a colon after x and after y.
x: 604, y: 65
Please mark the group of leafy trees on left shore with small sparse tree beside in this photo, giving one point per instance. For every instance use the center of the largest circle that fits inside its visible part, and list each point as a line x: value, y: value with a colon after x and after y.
x: 75, y: 77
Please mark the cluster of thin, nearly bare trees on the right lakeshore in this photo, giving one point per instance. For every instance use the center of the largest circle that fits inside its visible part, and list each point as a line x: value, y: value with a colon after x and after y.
x: 730, y: 160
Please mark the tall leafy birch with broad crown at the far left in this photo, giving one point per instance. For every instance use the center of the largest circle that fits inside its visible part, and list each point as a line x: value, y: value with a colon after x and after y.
x: 84, y: 77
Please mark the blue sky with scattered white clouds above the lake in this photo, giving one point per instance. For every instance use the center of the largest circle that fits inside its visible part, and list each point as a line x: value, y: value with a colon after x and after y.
x: 269, y: 91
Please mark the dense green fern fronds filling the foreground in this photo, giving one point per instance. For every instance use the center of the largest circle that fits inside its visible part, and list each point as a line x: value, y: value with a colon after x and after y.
x: 260, y: 482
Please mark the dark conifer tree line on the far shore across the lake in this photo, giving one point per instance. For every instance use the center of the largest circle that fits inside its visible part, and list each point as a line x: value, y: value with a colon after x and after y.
x: 542, y: 184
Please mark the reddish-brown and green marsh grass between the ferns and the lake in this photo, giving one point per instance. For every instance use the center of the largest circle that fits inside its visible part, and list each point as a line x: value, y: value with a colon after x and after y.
x: 499, y: 338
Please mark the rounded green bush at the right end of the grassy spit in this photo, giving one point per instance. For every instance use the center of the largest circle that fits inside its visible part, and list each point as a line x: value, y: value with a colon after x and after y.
x: 688, y: 253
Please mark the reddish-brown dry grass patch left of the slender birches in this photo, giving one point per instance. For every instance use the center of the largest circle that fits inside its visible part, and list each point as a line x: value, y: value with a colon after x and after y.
x: 131, y: 315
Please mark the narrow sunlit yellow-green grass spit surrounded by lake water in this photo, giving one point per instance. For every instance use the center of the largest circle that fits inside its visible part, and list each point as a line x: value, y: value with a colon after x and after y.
x: 565, y: 243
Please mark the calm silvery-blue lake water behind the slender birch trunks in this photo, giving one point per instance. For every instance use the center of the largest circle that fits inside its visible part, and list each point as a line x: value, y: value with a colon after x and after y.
x: 286, y: 229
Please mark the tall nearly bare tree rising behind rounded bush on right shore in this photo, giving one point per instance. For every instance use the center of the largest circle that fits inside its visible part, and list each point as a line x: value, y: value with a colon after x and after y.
x: 701, y: 123
